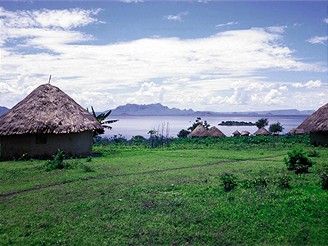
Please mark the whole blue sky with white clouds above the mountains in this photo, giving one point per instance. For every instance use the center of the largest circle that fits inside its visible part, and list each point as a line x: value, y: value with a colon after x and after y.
x: 204, y: 55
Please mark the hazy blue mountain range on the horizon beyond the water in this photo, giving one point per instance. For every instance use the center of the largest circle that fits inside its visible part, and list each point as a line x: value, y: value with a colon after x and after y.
x: 158, y: 109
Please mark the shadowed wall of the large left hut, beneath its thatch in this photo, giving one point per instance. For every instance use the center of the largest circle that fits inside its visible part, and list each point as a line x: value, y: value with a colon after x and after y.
x: 76, y: 144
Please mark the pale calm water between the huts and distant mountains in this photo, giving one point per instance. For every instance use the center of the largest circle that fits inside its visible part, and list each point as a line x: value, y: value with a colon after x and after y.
x: 169, y: 126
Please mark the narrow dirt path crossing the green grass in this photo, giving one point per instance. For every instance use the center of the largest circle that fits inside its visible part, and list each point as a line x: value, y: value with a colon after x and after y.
x: 41, y: 187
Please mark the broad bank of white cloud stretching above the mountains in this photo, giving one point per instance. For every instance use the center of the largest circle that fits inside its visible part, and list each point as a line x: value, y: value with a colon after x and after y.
x: 217, y: 72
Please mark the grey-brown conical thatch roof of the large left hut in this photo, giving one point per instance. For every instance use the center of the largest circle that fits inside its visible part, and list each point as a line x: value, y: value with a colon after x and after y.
x: 47, y: 109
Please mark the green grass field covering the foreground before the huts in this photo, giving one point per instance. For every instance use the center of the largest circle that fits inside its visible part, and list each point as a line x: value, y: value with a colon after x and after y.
x: 173, y: 195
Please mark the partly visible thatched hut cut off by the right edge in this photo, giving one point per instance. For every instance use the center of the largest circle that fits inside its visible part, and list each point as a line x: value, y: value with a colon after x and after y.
x: 317, y: 125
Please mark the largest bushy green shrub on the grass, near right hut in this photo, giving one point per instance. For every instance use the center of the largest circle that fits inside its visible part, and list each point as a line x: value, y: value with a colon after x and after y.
x: 298, y: 161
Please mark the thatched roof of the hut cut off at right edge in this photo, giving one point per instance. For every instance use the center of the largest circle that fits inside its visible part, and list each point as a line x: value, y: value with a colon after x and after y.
x: 317, y: 122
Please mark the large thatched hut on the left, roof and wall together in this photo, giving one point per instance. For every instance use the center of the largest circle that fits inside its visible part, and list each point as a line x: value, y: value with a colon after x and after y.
x: 45, y: 121
